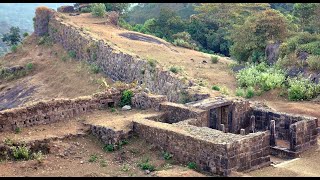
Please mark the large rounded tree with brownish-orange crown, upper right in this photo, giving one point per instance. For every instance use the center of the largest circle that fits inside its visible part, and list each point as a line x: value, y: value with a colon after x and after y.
x: 251, y: 38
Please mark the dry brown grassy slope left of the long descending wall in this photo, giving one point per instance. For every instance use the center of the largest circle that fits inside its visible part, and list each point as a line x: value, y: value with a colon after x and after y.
x: 54, y: 75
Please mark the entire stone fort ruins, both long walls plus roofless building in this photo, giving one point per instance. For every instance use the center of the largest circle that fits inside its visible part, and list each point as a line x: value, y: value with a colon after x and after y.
x: 219, y: 134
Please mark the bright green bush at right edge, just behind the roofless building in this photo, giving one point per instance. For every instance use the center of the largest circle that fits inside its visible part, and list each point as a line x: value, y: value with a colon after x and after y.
x: 300, y: 88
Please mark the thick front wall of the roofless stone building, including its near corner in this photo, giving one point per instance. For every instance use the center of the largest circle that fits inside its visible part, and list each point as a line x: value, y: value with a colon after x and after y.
x: 212, y: 150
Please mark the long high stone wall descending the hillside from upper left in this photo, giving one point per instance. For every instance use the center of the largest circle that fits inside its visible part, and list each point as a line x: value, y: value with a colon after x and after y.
x: 114, y: 63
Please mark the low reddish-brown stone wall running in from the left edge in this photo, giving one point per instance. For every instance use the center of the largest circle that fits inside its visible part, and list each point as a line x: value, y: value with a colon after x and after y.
x: 55, y: 110
